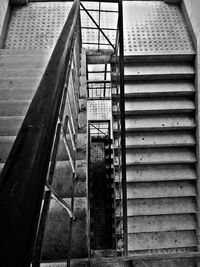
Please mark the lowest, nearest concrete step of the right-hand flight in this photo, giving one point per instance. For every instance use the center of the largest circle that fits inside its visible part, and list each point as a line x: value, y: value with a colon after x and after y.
x: 158, y: 240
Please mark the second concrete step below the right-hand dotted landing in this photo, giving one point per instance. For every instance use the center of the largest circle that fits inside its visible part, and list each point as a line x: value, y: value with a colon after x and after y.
x: 159, y: 88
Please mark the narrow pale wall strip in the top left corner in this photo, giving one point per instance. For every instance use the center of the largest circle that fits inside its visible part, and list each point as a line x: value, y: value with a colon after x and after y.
x: 4, y: 17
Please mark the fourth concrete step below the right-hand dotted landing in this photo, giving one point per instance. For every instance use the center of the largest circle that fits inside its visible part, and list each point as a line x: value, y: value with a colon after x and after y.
x: 158, y: 122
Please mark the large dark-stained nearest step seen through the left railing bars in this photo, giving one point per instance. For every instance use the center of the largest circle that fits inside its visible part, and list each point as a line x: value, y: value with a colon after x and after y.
x: 56, y: 239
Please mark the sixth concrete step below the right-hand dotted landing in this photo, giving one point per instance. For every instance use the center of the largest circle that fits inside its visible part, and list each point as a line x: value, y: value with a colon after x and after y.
x: 160, y: 155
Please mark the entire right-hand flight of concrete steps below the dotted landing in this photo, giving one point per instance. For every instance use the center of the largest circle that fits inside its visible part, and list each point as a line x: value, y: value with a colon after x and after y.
x: 160, y: 153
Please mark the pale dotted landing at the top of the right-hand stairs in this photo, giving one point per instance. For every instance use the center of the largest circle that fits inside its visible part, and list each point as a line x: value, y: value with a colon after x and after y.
x: 155, y: 27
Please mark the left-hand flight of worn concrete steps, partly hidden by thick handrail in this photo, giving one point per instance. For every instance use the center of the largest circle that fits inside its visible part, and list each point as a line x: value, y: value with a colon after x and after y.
x: 20, y: 74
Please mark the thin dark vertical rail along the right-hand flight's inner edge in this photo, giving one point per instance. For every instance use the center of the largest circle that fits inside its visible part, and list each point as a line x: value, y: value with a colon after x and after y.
x: 123, y: 134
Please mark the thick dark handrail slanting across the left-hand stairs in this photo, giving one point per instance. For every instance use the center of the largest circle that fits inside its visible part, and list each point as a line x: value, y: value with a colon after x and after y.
x: 23, y: 178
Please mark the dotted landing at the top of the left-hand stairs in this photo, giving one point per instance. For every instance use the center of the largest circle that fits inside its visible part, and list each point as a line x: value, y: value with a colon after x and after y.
x: 36, y: 25
